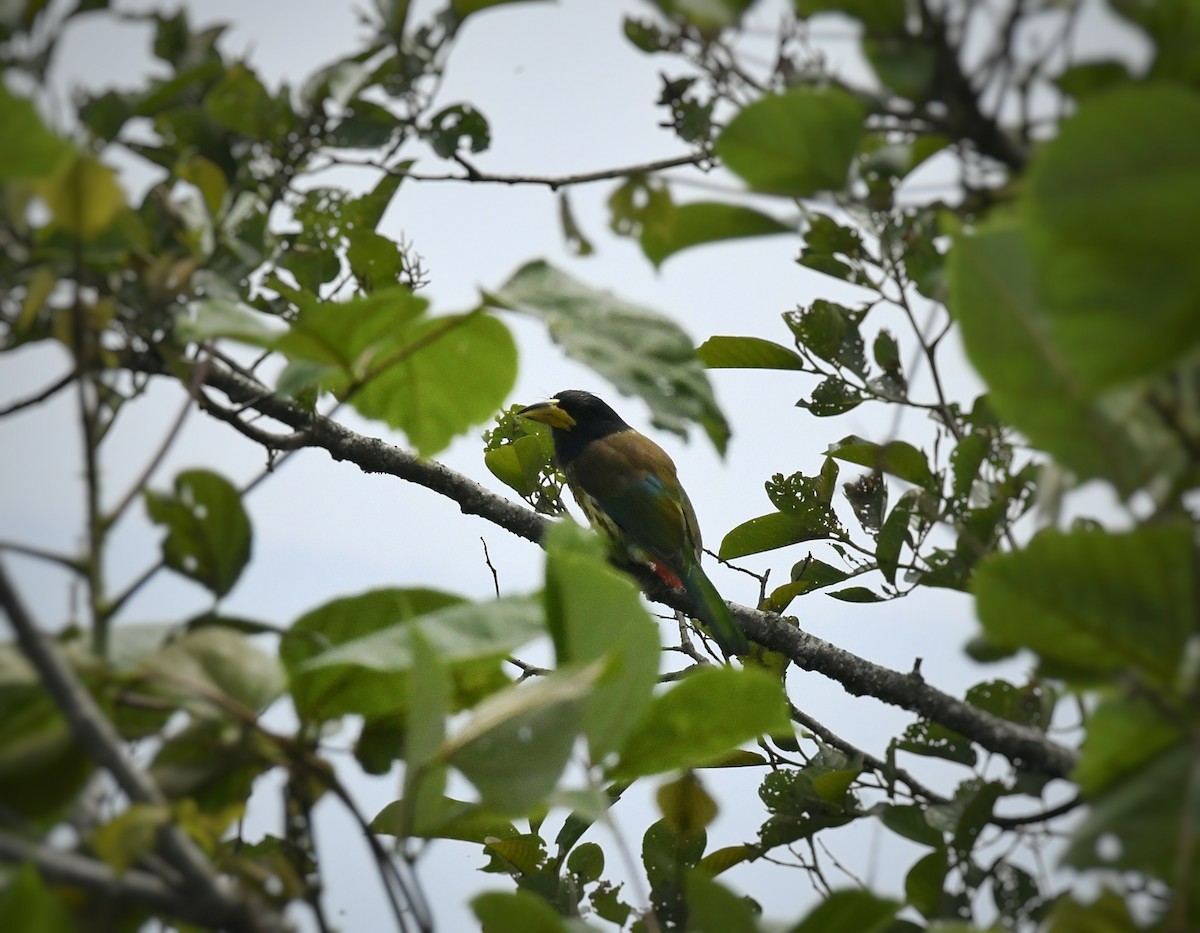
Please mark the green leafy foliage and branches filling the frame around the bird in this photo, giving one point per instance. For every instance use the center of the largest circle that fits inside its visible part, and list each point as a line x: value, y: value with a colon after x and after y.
x: 961, y: 174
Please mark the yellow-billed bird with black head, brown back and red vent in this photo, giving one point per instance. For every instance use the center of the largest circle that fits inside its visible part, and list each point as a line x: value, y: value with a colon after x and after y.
x: 628, y: 487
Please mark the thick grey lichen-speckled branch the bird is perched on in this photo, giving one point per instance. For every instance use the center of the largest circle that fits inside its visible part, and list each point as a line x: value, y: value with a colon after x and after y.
x: 1022, y: 745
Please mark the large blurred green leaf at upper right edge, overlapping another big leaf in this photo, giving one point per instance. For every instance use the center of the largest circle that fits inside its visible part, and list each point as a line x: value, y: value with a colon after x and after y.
x: 1117, y: 275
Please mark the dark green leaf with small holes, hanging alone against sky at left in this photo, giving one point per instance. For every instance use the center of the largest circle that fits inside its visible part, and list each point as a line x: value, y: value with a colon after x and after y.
x: 208, y: 532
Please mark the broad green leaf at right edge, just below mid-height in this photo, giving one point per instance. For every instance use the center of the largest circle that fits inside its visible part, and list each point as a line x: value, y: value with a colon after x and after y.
x: 1096, y: 601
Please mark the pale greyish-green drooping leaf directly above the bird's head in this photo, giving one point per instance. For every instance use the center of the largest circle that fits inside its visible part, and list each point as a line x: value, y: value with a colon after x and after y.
x: 637, y: 350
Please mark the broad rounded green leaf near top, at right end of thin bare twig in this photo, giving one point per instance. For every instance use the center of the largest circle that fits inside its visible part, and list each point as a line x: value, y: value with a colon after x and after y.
x: 796, y: 143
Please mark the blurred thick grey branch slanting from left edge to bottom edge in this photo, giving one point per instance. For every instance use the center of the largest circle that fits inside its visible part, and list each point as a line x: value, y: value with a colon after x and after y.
x: 98, y: 737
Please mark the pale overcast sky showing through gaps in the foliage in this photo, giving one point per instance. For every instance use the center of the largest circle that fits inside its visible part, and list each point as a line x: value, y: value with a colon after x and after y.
x: 565, y: 93
